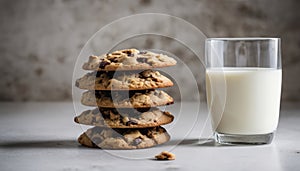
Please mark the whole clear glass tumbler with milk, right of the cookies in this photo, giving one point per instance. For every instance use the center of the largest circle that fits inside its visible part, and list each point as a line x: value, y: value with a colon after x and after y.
x: 243, y: 85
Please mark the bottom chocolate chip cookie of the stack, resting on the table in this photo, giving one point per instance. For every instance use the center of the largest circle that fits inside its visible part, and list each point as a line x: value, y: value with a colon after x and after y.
x: 108, y: 138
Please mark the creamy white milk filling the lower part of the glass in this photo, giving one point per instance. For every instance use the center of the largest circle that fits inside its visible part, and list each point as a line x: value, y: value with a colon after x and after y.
x: 250, y: 98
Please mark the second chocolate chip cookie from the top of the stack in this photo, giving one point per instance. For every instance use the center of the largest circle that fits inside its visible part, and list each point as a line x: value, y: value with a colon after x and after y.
x: 130, y: 80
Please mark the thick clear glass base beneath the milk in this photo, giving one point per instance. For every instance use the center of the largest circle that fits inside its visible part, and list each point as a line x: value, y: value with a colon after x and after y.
x: 232, y: 139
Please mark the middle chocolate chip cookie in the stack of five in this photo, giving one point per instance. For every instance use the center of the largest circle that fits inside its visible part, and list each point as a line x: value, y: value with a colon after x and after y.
x: 126, y: 99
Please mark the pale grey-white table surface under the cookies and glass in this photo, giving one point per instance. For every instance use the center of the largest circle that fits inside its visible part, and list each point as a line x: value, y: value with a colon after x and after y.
x: 42, y: 136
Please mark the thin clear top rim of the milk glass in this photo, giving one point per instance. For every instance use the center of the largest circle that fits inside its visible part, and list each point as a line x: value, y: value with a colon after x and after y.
x: 242, y: 38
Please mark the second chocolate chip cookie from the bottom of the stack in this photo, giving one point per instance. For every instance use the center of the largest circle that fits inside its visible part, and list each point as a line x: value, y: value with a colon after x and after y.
x: 124, y: 118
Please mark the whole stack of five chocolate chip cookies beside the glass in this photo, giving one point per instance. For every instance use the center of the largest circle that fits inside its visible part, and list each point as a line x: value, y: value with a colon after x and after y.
x: 123, y: 89
